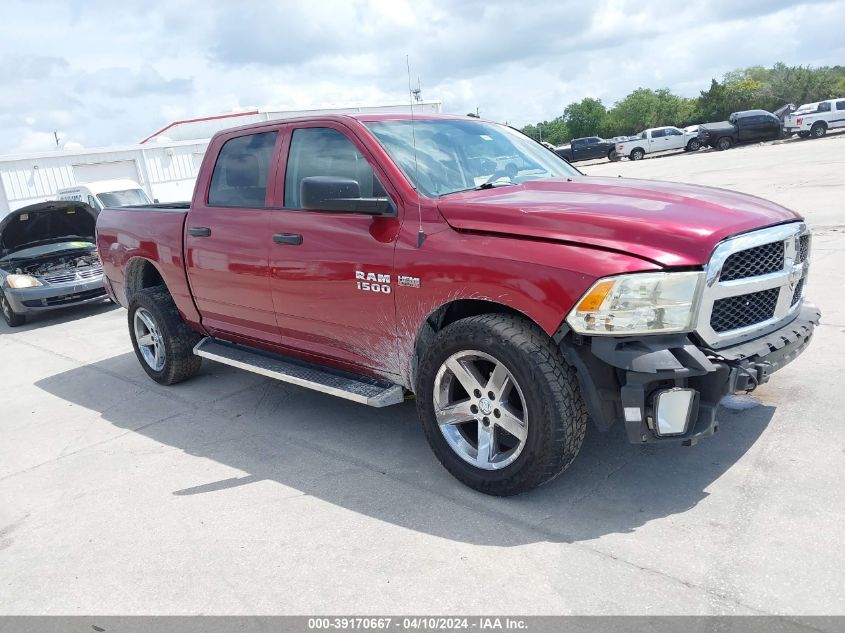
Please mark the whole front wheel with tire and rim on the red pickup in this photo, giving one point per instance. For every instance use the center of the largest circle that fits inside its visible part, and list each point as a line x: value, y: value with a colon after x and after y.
x: 499, y: 406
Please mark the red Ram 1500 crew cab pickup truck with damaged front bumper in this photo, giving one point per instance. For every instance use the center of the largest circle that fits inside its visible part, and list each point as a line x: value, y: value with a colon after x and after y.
x: 373, y: 257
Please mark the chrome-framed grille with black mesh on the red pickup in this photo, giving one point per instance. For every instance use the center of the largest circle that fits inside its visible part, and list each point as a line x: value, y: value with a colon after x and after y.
x: 754, y: 283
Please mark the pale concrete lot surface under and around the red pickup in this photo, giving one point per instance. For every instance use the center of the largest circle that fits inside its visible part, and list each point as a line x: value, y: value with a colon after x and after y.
x: 234, y: 494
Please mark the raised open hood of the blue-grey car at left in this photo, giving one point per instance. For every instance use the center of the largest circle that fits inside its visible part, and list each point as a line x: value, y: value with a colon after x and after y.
x: 44, y: 222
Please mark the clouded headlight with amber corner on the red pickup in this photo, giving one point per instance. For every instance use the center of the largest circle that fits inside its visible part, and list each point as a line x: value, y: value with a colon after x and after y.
x: 642, y: 303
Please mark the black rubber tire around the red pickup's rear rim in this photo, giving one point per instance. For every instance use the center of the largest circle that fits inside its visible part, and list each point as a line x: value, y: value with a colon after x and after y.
x: 178, y: 340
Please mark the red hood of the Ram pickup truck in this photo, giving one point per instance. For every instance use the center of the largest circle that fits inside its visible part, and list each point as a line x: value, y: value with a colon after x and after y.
x: 670, y: 224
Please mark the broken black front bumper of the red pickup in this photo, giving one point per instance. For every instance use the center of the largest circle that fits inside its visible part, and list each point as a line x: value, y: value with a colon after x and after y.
x: 622, y: 377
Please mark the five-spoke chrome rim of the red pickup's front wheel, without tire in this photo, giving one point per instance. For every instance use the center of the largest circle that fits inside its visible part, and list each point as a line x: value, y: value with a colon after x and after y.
x: 480, y: 409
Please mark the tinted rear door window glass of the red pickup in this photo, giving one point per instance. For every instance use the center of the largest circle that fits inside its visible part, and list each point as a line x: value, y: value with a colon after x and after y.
x: 241, y: 172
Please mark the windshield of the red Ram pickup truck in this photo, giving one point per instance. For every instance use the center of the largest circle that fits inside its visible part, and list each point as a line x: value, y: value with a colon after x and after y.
x: 458, y: 155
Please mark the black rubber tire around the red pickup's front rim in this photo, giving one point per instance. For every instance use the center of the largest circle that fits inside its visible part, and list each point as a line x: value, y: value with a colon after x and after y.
x: 556, y: 415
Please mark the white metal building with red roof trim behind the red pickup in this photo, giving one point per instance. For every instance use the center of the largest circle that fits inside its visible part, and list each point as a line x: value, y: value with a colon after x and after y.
x: 165, y: 163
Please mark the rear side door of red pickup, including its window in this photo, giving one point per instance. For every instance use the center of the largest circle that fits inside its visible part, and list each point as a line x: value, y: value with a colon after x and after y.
x: 226, y: 243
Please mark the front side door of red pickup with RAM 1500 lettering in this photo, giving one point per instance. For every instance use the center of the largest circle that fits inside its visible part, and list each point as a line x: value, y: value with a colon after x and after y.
x: 331, y: 272
